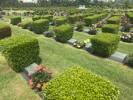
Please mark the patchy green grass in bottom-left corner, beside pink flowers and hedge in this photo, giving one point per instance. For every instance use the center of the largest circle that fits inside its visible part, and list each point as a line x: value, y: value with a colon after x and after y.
x: 12, y: 86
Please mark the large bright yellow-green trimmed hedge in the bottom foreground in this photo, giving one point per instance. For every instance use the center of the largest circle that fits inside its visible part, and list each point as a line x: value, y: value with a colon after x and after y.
x: 76, y: 83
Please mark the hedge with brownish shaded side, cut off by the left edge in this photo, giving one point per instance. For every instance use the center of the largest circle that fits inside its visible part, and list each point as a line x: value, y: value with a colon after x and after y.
x: 5, y: 30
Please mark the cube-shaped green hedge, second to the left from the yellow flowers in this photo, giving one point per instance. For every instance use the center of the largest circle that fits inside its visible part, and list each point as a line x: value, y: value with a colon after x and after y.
x: 40, y: 26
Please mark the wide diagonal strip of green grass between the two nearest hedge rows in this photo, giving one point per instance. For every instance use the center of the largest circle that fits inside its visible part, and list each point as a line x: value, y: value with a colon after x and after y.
x: 59, y: 56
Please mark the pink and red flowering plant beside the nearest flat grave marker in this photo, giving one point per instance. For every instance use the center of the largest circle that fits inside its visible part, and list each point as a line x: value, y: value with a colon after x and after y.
x: 38, y: 80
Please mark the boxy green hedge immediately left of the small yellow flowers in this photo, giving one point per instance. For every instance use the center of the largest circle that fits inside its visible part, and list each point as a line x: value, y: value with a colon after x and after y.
x: 63, y: 32
